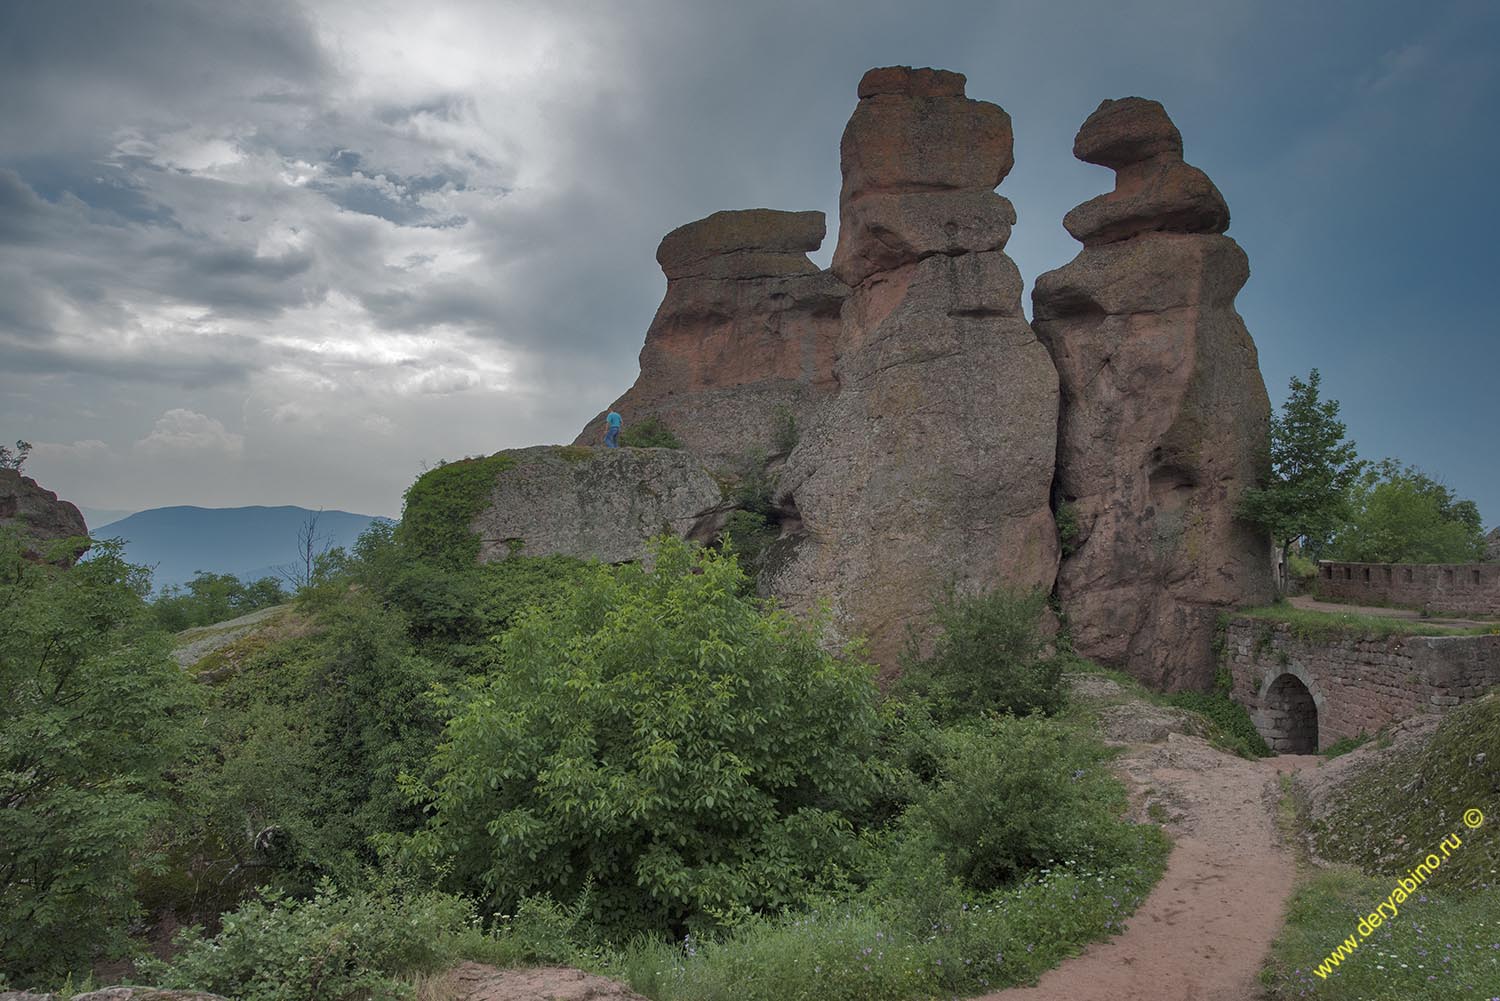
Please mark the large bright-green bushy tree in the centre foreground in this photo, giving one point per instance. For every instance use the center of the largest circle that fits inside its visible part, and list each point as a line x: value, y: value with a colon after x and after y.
x: 662, y: 738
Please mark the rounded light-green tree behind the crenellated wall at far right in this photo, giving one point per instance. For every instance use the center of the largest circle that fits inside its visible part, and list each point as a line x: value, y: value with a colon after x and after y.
x: 1402, y: 516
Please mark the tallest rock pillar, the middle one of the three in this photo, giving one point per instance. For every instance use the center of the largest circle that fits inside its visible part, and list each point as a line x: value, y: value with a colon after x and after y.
x: 934, y: 461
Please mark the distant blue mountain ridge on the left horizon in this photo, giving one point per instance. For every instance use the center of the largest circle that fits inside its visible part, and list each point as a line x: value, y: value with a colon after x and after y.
x: 248, y: 543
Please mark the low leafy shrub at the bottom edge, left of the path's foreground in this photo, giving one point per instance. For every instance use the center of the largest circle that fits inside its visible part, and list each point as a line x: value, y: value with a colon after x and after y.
x: 338, y: 946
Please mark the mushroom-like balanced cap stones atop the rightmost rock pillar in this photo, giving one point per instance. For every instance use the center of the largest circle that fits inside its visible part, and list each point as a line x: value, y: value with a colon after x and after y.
x: 1154, y: 188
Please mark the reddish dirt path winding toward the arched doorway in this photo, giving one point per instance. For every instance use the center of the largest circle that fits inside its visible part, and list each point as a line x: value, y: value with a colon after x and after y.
x: 1204, y: 931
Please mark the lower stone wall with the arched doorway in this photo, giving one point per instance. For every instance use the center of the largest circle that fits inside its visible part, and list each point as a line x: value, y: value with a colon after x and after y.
x: 1355, y: 684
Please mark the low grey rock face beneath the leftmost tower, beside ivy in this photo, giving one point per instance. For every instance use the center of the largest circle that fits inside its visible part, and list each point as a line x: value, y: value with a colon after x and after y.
x: 595, y: 504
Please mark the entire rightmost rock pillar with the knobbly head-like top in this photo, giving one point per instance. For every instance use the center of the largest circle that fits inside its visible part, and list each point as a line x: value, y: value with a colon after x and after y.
x: 1165, y: 415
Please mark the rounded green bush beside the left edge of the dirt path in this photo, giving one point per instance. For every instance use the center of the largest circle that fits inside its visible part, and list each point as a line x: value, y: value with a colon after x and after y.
x: 1013, y: 796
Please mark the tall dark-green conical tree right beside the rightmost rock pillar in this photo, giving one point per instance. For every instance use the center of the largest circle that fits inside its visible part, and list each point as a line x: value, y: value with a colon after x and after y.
x: 1313, y: 470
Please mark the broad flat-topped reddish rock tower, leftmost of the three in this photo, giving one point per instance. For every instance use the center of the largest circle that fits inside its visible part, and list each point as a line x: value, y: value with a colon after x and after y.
x: 745, y: 338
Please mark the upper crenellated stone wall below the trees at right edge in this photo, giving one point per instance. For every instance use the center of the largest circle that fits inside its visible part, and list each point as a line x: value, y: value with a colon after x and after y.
x: 1456, y: 588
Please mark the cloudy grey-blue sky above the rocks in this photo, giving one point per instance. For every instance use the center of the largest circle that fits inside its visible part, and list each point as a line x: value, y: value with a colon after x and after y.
x: 293, y: 253
